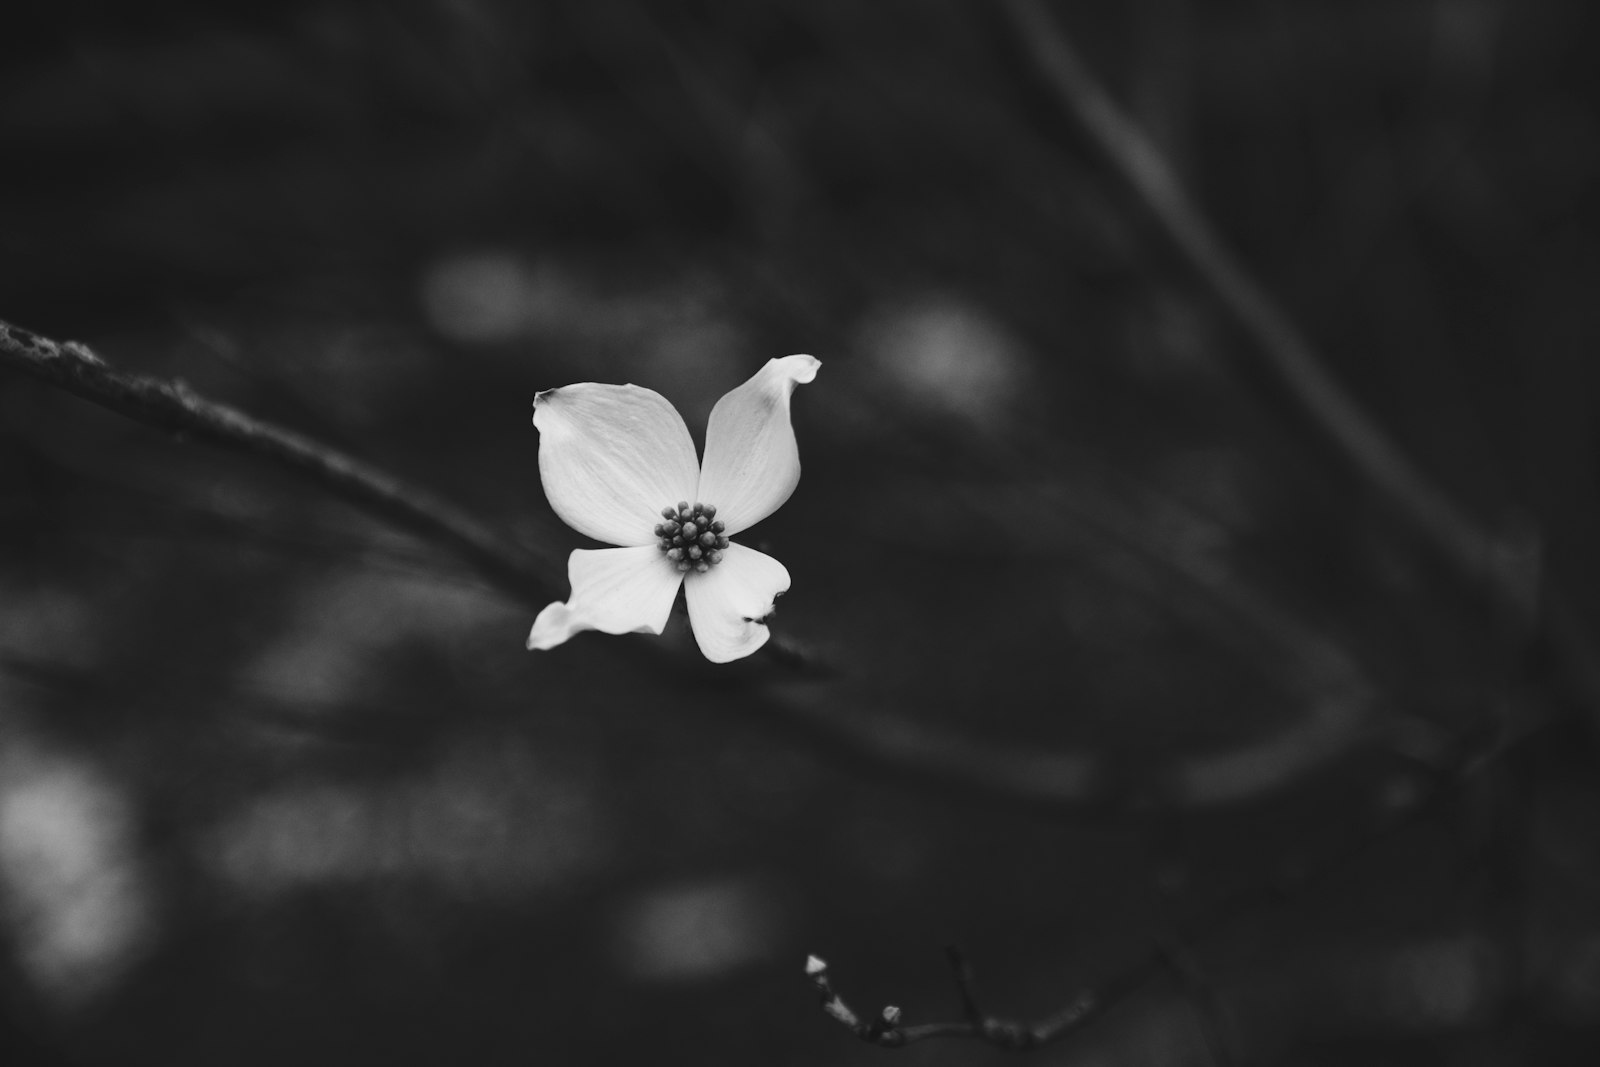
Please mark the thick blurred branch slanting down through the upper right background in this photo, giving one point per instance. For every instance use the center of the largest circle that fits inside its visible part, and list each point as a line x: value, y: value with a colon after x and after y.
x: 1463, y: 543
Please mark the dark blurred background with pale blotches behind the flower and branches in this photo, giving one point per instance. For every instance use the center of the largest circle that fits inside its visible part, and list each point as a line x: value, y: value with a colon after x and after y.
x: 281, y: 783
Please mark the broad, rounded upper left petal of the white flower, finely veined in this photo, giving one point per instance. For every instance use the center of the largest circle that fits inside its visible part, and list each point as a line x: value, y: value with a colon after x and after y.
x: 612, y: 458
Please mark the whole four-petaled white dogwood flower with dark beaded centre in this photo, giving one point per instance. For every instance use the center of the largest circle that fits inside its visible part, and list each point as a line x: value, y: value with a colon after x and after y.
x: 618, y: 466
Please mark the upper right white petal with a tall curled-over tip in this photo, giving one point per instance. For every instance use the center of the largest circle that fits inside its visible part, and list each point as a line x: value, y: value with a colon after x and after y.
x: 751, y: 458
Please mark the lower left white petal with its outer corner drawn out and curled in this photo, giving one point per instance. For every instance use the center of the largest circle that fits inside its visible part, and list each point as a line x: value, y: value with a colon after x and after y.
x: 615, y: 591
